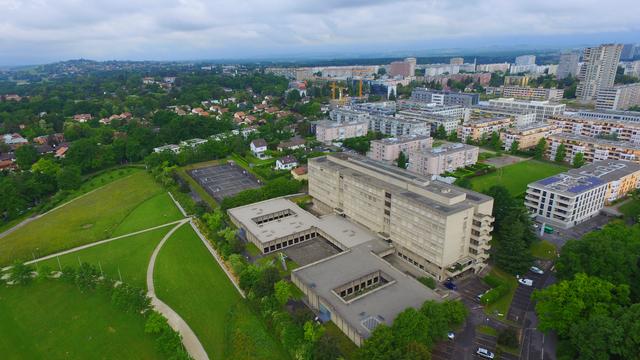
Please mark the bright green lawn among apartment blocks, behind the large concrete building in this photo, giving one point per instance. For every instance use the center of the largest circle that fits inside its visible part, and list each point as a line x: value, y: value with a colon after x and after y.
x: 516, y: 177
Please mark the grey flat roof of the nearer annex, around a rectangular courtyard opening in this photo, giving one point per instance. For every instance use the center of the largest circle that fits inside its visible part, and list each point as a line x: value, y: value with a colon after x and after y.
x: 380, y: 305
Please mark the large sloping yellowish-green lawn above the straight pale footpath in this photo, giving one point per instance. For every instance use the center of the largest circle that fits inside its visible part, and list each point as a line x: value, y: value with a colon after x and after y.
x: 114, y: 209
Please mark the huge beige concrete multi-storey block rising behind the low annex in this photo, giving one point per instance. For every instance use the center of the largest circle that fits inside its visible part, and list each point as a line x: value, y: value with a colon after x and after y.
x: 438, y: 229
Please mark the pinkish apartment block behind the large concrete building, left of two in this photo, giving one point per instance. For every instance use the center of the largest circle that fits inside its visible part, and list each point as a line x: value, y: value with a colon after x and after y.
x: 388, y: 149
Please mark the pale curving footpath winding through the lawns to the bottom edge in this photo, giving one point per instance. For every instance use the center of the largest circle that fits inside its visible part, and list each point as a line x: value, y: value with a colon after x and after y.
x: 189, y: 339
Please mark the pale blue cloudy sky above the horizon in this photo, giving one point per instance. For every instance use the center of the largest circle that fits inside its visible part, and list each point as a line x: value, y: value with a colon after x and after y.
x: 41, y: 31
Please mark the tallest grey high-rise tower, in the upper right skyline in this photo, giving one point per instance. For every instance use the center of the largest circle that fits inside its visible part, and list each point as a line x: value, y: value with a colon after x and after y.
x: 598, y: 71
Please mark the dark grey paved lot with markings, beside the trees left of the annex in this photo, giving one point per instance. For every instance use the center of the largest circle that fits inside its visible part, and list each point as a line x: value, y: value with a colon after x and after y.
x: 222, y: 181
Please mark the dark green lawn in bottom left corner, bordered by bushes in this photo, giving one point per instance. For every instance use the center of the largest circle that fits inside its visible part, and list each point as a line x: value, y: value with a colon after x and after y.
x: 54, y: 320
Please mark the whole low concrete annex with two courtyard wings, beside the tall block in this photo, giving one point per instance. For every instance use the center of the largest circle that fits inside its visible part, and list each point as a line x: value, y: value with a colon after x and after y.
x: 356, y: 288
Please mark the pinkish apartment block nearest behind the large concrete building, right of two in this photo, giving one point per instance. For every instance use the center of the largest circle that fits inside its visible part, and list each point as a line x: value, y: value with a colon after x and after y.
x: 444, y: 158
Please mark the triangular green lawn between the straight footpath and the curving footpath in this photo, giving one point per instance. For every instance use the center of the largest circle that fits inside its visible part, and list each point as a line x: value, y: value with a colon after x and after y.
x: 127, y: 257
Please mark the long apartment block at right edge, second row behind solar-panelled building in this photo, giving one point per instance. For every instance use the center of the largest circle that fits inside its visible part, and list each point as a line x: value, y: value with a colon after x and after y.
x: 597, y: 127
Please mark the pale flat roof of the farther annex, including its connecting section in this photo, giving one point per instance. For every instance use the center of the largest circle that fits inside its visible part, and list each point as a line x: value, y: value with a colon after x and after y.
x: 345, y: 232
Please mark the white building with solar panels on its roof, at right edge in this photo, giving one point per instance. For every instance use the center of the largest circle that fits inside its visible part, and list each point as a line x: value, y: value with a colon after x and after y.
x: 567, y: 199
